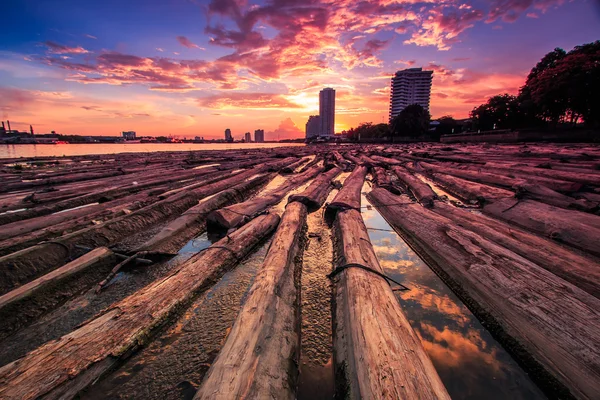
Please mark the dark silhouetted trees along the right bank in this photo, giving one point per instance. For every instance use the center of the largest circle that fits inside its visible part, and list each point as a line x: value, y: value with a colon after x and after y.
x: 563, y: 89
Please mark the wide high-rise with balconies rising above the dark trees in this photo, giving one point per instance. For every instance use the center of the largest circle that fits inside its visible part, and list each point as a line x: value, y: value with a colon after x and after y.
x: 410, y: 86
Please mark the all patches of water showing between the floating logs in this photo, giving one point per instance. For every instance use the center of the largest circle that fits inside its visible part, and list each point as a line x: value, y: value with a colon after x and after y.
x: 470, y: 362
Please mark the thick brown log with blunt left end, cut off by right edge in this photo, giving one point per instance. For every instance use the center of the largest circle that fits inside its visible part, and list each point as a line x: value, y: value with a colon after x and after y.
x: 574, y: 228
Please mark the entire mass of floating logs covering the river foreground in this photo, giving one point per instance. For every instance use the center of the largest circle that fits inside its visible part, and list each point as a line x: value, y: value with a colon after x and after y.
x: 522, y: 251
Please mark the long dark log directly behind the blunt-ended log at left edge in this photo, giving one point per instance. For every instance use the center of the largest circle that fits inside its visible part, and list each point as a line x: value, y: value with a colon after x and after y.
x: 25, y: 265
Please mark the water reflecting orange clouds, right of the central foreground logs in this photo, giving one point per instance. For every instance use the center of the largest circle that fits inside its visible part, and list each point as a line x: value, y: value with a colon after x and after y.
x: 470, y: 362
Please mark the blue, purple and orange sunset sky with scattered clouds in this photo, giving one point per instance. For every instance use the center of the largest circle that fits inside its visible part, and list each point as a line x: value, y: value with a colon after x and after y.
x: 194, y: 67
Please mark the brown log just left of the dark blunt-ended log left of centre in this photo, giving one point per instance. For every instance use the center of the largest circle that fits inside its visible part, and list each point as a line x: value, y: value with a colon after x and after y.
x: 193, y: 221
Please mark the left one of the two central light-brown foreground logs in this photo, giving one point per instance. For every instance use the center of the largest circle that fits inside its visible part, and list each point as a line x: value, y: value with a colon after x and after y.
x: 261, y: 355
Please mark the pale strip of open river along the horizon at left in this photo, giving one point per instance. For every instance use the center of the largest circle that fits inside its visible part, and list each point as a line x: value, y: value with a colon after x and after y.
x: 59, y: 150
